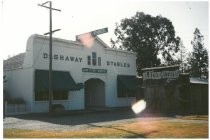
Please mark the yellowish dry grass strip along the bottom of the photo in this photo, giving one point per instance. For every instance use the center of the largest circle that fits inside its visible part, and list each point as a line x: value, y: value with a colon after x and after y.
x: 139, y: 129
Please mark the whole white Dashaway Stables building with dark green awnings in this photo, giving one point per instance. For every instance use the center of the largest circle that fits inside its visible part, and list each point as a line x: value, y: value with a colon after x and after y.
x: 82, y: 76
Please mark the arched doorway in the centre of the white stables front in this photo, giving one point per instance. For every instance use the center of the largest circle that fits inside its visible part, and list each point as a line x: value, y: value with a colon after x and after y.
x: 94, y: 93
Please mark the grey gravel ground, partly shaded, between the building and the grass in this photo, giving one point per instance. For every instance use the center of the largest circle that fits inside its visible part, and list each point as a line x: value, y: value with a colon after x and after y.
x: 78, y: 121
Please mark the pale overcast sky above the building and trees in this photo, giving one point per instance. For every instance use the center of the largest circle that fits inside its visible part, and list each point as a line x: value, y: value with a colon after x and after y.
x: 22, y: 18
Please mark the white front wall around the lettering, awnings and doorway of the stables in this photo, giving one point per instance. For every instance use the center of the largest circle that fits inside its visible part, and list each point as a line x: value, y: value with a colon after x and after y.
x: 68, y: 48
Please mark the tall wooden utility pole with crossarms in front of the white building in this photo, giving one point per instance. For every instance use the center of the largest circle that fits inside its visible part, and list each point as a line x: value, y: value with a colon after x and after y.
x: 50, y: 51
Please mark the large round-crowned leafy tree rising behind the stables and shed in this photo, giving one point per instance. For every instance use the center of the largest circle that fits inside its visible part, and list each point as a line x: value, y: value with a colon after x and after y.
x: 152, y: 38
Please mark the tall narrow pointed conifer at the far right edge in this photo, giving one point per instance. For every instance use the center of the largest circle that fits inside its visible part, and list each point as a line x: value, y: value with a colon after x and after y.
x: 199, y: 56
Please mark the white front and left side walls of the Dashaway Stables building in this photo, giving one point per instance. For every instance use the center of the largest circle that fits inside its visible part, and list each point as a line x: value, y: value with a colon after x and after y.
x: 34, y: 59
